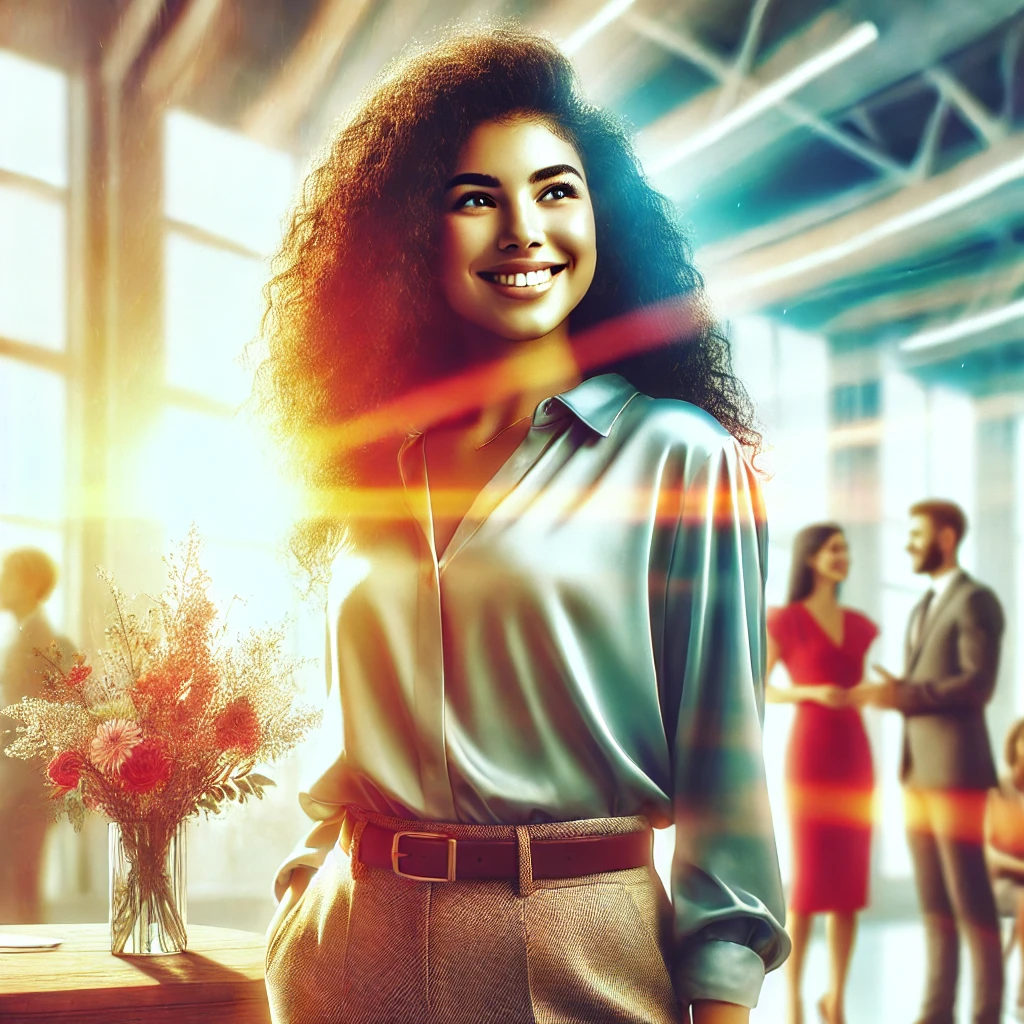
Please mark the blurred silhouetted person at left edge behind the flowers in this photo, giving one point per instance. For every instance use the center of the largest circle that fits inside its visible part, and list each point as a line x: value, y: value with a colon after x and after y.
x: 28, y: 577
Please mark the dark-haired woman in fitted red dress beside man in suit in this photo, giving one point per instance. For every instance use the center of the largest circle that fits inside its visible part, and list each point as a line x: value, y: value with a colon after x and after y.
x: 830, y: 779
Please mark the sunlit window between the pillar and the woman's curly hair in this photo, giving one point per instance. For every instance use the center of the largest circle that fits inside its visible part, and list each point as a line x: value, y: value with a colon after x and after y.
x: 225, y: 199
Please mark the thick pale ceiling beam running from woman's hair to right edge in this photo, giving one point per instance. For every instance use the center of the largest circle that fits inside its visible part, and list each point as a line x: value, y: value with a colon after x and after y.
x: 922, y: 216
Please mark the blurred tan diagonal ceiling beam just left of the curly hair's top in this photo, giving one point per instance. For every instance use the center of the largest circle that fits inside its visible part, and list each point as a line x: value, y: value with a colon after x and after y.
x: 275, y: 116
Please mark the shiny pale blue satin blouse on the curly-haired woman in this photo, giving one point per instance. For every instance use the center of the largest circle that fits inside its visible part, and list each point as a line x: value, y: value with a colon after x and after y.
x: 590, y: 645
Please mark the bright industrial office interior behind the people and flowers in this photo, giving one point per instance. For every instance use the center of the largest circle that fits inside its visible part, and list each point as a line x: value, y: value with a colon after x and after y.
x: 852, y: 175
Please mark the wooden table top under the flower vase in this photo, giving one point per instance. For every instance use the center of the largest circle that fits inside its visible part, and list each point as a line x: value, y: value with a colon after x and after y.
x: 219, y: 979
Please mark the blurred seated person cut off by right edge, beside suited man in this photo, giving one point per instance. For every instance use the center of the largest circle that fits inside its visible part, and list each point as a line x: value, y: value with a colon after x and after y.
x: 1005, y: 846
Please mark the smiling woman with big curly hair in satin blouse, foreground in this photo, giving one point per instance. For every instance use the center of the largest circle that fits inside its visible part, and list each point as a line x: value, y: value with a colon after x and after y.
x: 557, y: 642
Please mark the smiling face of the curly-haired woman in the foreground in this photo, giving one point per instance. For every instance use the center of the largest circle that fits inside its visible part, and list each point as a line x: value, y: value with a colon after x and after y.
x: 518, y: 246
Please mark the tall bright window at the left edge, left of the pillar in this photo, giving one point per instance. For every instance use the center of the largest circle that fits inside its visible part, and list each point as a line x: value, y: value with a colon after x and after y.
x: 34, y: 374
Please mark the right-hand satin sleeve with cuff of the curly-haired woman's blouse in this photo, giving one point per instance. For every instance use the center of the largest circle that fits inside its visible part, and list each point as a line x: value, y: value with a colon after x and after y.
x: 727, y: 890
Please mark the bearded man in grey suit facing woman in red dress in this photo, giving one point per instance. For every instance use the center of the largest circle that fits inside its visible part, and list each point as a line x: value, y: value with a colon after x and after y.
x: 953, y: 656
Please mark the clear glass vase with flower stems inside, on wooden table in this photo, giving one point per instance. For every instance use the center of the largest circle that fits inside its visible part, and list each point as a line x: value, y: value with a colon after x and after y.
x: 148, y: 887
